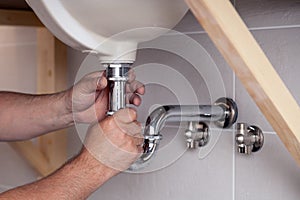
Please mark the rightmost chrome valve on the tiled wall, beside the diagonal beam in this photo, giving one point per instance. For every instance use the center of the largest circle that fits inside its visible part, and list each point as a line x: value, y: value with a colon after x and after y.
x: 248, y: 138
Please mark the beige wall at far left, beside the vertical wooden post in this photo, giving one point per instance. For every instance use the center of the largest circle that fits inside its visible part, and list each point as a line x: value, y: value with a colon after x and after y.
x: 17, y: 73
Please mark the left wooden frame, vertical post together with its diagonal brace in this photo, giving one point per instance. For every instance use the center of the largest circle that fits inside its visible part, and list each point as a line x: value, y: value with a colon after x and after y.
x: 51, y: 151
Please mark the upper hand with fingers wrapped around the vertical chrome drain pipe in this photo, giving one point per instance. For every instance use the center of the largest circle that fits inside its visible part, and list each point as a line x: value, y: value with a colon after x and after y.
x: 88, y: 99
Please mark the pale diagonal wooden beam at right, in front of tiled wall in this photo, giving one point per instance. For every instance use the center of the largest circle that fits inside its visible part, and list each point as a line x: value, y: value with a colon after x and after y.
x: 246, y: 58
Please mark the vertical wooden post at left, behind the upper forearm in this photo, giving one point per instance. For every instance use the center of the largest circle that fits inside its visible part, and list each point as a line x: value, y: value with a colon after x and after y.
x: 52, y: 75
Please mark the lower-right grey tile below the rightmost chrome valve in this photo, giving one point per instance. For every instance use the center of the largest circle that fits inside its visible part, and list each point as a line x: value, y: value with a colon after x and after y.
x: 270, y: 174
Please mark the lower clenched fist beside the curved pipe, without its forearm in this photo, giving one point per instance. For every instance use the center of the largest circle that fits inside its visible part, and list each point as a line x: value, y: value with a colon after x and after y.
x: 116, y: 142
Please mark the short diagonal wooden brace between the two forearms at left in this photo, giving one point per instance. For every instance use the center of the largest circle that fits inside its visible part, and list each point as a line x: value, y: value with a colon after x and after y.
x: 33, y: 155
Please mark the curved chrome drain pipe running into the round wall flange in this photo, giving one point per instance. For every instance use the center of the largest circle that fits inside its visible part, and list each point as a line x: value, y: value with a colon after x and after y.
x: 223, y: 113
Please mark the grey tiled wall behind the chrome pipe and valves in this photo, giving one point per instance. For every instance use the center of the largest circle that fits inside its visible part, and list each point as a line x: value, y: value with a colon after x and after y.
x: 176, y: 70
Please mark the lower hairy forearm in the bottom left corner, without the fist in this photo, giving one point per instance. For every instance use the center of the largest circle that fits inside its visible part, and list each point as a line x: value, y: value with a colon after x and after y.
x: 75, y: 180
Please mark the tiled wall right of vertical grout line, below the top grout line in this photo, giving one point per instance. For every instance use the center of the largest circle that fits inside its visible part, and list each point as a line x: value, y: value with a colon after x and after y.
x: 271, y: 173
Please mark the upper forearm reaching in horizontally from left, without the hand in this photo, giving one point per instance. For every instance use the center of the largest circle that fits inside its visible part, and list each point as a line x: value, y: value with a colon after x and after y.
x: 24, y: 116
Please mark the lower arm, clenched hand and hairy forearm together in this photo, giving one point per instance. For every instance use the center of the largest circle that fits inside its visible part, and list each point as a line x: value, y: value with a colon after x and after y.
x: 110, y: 147
